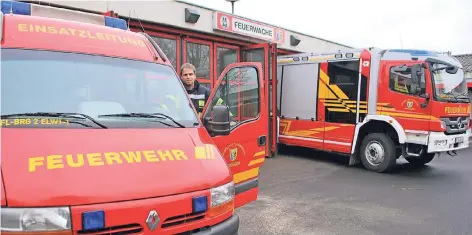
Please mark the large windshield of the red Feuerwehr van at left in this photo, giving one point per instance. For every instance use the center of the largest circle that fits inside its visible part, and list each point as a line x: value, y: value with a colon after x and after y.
x: 44, y: 81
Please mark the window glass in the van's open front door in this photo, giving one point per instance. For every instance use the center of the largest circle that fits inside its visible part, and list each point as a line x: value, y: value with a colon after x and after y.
x: 239, y: 90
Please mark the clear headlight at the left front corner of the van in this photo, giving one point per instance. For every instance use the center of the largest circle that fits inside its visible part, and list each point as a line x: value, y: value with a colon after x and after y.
x: 35, y: 219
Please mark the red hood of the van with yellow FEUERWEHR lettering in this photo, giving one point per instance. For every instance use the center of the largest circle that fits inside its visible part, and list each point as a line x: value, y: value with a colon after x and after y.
x: 51, y: 167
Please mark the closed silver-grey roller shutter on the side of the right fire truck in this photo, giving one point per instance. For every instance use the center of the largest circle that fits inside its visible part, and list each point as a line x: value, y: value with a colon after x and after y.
x: 299, y: 91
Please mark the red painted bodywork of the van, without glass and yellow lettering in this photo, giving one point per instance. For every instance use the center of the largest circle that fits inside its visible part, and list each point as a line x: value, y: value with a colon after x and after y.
x: 126, y: 191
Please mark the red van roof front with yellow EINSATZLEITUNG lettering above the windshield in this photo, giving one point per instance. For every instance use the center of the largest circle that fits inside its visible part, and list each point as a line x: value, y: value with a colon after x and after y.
x: 44, y: 33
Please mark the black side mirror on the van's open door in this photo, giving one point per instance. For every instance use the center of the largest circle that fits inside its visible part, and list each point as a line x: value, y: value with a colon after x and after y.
x: 218, y: 123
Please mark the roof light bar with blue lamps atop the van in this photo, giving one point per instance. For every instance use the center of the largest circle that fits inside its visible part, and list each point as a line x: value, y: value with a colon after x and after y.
x: 22, y: 8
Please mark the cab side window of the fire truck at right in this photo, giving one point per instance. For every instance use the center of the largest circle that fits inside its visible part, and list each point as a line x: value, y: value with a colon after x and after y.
x: 400, y: 80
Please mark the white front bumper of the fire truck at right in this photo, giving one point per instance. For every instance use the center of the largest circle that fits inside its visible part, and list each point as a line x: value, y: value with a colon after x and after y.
x: 439, y: 142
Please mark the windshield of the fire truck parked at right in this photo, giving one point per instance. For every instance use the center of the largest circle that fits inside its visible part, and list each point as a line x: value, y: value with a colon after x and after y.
x: 449, y: 86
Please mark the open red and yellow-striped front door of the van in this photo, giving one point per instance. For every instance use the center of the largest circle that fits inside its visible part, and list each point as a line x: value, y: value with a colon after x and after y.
x: 242, y: 88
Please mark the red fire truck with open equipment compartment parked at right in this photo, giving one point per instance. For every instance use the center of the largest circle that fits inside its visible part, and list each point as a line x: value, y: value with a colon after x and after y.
x: 374, y: 105
